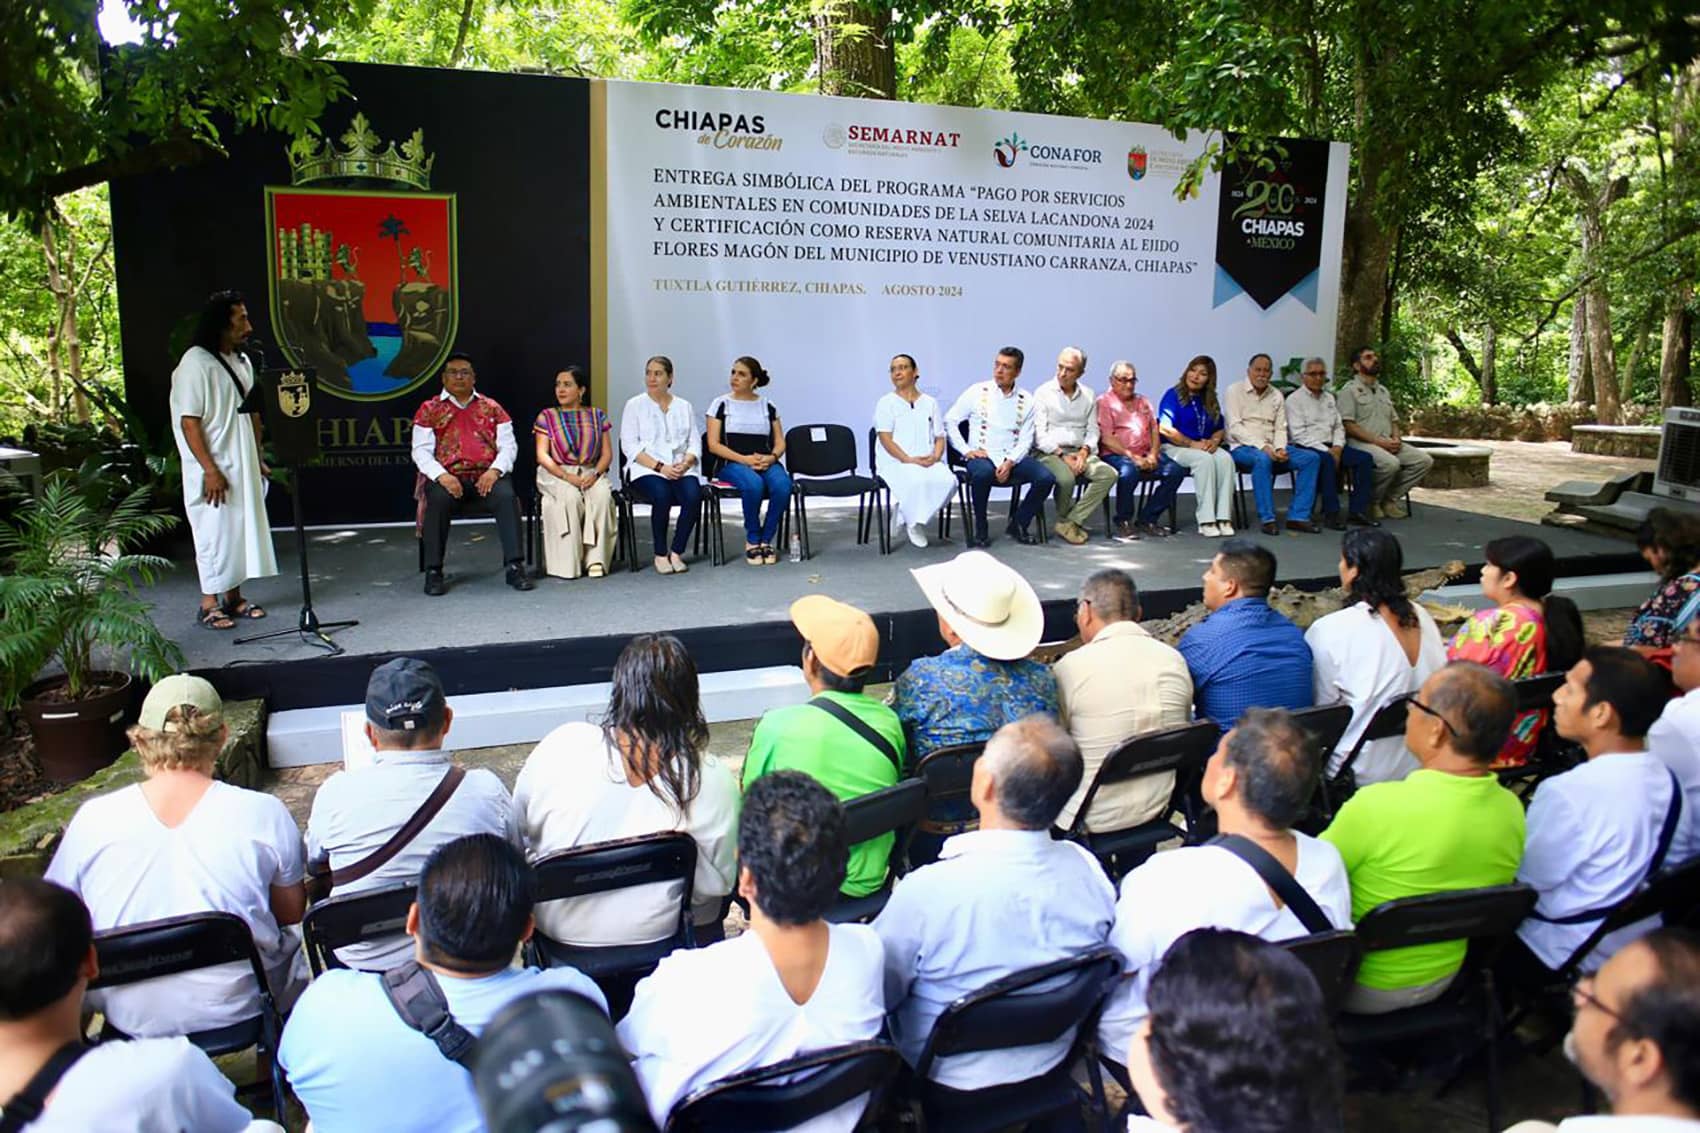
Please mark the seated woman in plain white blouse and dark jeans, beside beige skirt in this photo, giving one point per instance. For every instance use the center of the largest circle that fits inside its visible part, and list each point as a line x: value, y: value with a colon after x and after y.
x: 664, y: 455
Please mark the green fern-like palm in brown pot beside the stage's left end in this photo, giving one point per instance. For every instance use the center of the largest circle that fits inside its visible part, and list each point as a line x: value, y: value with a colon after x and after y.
x: 69, y: 589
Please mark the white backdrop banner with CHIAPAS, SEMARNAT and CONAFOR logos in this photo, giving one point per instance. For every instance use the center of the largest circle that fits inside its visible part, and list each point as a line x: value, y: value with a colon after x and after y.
x: 825, y: 236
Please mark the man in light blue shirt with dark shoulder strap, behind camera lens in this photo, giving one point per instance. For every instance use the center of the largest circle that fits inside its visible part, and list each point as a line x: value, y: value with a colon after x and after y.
x: 358, y: 1064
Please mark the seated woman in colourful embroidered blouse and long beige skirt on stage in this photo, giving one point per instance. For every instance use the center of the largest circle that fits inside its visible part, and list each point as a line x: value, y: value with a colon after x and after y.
x: 574, y: 458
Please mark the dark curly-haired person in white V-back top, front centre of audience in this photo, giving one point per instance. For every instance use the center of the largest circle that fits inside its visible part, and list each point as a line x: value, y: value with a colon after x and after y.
x: 788, y: 986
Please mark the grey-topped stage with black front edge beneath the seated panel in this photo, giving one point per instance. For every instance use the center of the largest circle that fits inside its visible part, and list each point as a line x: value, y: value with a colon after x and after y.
x: 487, y: 637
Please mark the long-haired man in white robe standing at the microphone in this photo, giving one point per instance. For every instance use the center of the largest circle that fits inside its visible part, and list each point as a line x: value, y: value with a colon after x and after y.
x: 224, y: 475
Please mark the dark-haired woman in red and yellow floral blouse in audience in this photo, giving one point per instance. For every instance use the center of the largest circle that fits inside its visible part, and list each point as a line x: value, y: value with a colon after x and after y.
x: 1527, y: 632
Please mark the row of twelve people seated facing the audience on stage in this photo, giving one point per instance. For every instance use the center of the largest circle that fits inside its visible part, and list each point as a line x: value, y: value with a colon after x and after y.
x: 1045, y: 441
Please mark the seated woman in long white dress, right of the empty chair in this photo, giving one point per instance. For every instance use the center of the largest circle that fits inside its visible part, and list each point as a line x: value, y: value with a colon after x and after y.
x: 912, y: 452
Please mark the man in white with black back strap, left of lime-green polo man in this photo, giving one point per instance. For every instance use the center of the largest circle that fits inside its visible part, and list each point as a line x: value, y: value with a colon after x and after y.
x: 1261, y: 780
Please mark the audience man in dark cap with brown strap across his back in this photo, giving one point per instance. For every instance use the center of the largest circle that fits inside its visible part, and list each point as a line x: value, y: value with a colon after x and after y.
x: 360, y: 816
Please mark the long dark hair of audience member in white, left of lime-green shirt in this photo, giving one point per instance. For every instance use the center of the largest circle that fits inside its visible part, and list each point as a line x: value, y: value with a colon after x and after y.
x: 655, y: 717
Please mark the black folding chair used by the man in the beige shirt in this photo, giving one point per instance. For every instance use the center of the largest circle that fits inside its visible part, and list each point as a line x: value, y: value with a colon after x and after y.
x: 1174, y: 751
